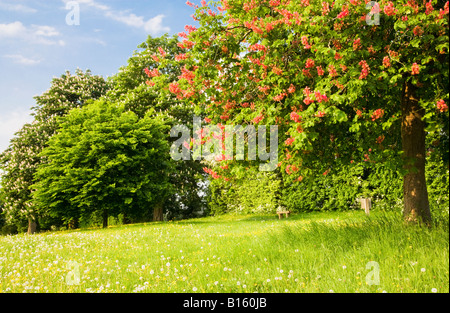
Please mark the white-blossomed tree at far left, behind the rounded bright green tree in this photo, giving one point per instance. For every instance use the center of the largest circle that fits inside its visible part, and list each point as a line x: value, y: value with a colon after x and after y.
x: 21, y: 159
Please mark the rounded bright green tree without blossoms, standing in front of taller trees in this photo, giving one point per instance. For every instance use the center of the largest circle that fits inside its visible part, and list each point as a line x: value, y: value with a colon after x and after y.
x: 105, y: 161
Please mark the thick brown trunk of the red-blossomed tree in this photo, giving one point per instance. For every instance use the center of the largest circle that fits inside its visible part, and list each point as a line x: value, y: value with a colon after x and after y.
x: 415, y: 194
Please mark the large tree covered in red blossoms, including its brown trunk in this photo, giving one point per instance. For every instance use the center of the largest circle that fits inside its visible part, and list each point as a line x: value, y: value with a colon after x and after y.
x: 345, y: 81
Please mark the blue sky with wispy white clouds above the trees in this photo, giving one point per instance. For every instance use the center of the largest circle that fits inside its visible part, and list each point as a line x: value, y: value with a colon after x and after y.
x: 37, y: 43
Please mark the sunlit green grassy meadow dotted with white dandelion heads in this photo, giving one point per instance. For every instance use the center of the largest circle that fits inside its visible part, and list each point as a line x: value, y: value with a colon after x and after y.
x: 310, y: 252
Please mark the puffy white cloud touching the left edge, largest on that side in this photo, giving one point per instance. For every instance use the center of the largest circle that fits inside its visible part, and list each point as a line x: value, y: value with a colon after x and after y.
x: 39, y: 34
